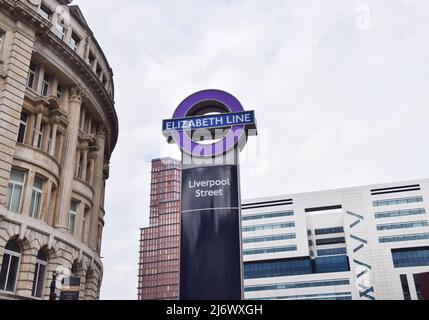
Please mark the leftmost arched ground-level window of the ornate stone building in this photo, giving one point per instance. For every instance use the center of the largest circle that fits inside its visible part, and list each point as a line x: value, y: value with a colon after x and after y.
x: 10, y: 265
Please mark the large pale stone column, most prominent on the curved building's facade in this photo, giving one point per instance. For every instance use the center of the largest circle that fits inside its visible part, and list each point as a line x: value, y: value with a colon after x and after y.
x: 76, y: 97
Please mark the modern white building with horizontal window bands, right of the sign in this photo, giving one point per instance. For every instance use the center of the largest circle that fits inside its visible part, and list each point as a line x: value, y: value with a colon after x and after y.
x: 362, y: 243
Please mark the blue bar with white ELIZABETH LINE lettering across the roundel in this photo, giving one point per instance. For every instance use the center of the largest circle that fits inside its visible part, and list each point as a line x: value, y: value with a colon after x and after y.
x: 246, y: 118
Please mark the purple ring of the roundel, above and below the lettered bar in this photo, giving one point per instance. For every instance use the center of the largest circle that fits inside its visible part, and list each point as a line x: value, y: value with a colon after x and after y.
x: 228, y: 142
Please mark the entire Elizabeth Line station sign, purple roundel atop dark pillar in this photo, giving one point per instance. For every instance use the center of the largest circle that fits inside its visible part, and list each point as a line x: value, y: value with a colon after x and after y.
x: 211, y: 127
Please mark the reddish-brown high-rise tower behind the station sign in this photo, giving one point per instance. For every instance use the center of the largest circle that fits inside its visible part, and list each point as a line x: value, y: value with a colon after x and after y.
x: 159, y: 243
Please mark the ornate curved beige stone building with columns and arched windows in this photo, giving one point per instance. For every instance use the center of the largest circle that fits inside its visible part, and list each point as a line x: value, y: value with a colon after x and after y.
x: 58, y: 128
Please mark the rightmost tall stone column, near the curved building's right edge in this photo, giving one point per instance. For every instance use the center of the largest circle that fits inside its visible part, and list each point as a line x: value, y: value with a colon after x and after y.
x: 97, y: 185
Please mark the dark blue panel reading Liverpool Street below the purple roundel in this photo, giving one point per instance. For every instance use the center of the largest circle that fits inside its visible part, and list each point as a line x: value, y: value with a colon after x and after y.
x: 210, y: 260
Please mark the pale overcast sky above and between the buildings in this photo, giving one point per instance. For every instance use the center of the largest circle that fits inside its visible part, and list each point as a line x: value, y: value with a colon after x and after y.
x: 340, y: 90
